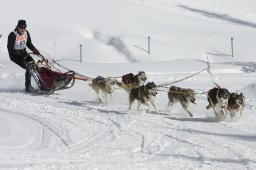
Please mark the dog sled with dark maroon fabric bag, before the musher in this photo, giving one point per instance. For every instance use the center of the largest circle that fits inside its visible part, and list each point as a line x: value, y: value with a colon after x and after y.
x: 49, y: 78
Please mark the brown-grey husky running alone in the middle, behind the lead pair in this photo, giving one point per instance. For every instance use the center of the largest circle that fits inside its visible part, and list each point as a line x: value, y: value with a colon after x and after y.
x: 183, y: 96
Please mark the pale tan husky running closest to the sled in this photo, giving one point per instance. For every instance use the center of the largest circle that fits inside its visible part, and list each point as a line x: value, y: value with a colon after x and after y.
x: 103, y: 86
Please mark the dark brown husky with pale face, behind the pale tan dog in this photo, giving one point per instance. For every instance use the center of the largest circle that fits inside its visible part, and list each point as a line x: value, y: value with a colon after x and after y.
x: 130, y: 80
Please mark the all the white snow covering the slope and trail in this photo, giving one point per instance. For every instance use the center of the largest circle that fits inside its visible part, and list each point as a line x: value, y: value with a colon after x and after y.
x: 70, y: 129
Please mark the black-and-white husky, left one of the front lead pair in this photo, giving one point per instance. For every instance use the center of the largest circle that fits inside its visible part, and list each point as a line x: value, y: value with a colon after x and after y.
x: 218, y: 97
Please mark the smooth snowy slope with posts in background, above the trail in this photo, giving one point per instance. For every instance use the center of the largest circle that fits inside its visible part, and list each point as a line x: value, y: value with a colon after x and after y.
x: 178, y: 28
